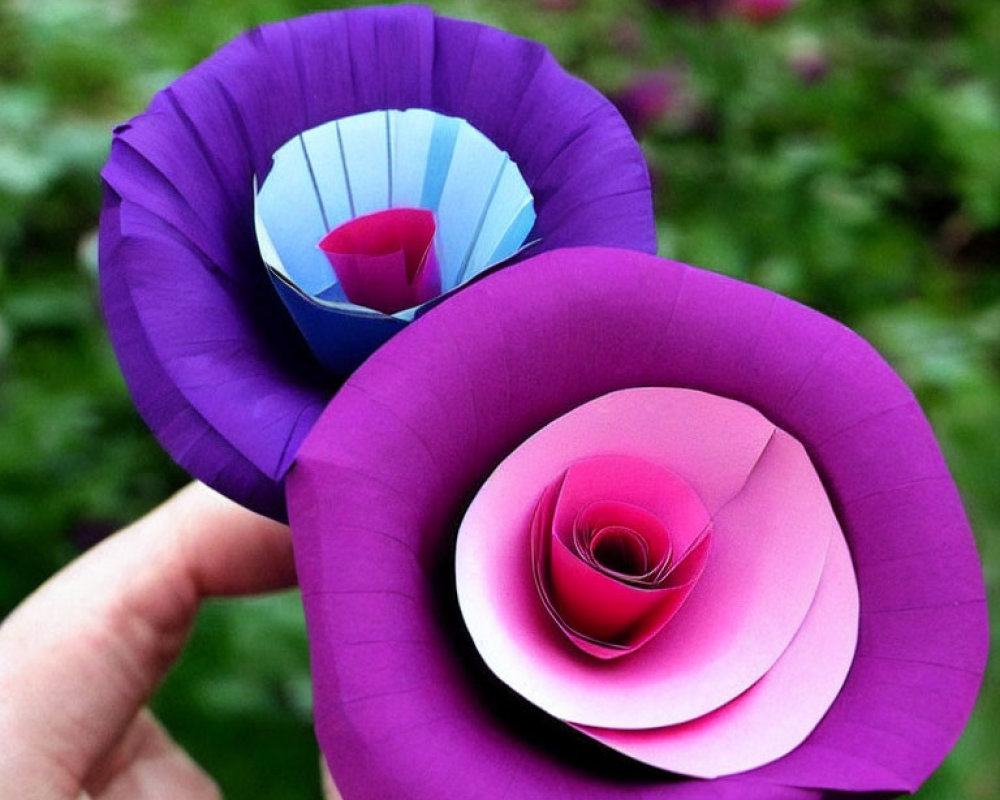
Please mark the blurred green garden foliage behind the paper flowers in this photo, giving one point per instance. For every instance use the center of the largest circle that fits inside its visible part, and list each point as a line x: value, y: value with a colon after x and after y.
x: 845, y: 153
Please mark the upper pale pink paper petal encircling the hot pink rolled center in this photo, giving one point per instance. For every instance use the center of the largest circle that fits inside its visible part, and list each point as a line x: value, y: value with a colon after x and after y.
x: 771, y: 530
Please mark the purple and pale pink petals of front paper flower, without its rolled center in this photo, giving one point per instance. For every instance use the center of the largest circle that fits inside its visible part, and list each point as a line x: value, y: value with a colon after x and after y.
x: 780, y: 418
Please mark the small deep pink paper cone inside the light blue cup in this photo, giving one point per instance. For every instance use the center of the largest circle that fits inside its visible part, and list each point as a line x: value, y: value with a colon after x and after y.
x: 386, y: 260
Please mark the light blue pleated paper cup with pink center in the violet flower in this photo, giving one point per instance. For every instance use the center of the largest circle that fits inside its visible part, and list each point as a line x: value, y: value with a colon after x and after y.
x: 362, y: 176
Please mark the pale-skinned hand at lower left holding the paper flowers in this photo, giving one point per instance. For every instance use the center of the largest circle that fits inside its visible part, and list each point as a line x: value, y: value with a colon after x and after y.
x: 81, y: 657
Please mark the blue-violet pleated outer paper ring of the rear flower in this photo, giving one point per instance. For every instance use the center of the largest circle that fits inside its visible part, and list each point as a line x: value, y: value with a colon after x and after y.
x: 215, y: 365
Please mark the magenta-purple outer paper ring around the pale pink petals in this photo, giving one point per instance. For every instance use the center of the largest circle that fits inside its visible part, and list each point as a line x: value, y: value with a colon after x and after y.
x: 403, y: 709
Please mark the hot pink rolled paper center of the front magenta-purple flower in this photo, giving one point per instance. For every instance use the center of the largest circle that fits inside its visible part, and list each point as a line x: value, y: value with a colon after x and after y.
x: 618, y: 544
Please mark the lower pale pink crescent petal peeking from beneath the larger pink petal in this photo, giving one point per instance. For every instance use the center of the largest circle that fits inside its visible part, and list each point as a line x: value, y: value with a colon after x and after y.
x: 777, y: 713
